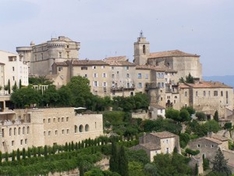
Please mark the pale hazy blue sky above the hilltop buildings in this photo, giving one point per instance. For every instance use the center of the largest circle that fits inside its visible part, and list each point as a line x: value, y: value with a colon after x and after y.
x: 107, y: 28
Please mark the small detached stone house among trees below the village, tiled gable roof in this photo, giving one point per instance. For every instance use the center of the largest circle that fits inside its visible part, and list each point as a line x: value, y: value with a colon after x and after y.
x: 158, y: 142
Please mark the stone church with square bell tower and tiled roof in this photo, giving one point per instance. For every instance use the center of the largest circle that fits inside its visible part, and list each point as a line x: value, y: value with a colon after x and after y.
x: 183, y: 63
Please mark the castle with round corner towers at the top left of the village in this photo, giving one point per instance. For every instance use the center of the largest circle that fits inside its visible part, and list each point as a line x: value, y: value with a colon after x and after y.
x: 45, y: 54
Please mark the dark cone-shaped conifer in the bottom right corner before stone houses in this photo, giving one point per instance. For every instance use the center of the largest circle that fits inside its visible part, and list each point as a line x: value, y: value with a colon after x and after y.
x: 220, y: 164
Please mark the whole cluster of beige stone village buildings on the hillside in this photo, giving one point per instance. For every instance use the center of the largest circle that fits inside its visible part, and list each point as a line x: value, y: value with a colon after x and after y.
x: 172, y: 80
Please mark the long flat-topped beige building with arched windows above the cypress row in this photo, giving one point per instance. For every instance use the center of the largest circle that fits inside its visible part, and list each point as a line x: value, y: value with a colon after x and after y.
x: 23, y: 128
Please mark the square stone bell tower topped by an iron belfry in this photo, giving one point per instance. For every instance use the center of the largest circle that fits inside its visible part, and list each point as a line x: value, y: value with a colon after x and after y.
x: 141, y: 50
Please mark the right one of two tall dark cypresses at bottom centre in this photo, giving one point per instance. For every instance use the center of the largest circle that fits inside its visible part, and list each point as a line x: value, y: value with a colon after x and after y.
x: 123, y: 162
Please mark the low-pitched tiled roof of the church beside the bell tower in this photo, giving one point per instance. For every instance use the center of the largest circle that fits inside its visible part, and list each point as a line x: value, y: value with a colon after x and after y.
x: 171, y: 53
